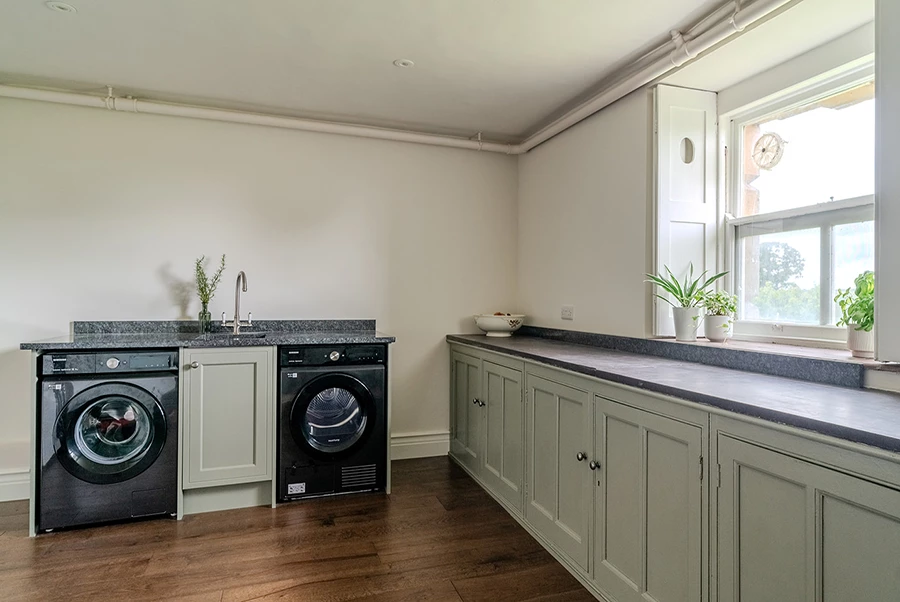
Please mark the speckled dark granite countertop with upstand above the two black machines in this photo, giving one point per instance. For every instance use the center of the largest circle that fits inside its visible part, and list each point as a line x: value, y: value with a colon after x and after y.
x: 140, y: 334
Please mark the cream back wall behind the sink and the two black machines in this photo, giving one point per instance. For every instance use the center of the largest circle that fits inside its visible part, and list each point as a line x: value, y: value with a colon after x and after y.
x: 102, y: 215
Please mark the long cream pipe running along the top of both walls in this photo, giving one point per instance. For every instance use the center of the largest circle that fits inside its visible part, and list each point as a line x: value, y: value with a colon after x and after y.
x: 684, y: 50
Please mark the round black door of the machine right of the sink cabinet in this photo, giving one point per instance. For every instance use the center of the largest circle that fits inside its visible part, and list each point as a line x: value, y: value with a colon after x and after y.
x: 332, y: 416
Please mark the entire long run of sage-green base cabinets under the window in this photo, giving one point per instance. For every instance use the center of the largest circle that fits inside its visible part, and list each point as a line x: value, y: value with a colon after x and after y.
x: 646, y: 498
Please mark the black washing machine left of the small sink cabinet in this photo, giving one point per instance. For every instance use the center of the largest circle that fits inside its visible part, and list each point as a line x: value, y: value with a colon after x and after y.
x: 108, y: 432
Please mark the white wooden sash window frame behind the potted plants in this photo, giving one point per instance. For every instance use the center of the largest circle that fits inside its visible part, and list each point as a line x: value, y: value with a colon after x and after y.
x: 825, y: 214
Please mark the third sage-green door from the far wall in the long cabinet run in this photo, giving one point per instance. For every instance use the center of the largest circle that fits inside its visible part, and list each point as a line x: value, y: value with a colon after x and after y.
x: 558, y: 484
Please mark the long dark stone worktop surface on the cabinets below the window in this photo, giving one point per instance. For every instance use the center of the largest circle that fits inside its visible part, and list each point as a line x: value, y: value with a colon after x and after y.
x: 863, y: 416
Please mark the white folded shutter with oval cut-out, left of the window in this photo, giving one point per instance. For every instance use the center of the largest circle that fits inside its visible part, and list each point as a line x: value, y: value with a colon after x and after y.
x: 685, y: 215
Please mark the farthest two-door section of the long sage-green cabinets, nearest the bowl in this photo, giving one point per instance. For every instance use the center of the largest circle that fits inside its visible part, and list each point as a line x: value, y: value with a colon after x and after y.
x: 487, y: 424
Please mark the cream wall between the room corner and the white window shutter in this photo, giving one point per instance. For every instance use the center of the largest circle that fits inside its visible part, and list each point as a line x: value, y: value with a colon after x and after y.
x: 585, y: 234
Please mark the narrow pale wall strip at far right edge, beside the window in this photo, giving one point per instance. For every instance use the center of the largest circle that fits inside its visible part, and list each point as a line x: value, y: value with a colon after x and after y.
x: 887, y: 180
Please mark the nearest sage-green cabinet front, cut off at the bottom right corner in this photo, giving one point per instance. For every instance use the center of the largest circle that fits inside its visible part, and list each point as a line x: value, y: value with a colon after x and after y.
x: 793, y: 530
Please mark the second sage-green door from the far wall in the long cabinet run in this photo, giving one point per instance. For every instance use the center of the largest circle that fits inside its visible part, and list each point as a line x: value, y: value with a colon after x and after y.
x: 504, y: 463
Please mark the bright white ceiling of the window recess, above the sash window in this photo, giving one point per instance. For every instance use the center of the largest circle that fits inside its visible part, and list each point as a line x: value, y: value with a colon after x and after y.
x: 798, y: 29
